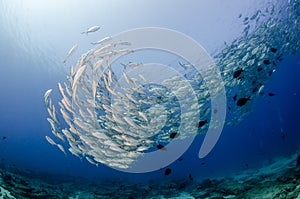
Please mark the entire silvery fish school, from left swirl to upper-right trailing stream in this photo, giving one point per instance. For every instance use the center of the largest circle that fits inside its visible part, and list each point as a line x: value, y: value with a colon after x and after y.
x: 114, y: 125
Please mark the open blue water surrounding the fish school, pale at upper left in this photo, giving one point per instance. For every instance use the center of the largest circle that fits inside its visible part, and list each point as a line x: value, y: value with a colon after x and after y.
x: 36, y: 37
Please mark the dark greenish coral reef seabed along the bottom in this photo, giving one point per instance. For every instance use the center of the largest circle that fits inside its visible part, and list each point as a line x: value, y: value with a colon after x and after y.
x: 278, y: 180
